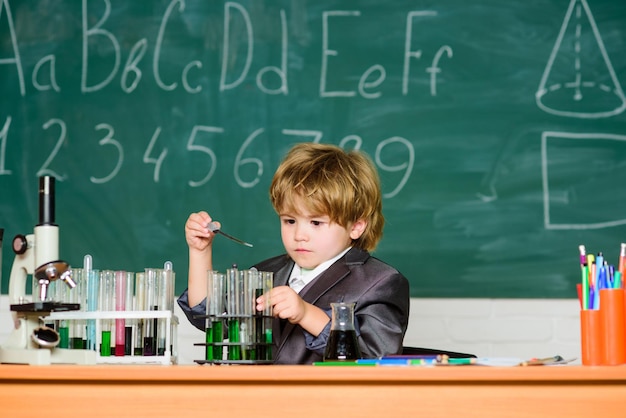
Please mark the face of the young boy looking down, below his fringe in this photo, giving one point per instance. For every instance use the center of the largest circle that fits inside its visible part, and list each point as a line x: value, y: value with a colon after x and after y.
x: 312, y: 239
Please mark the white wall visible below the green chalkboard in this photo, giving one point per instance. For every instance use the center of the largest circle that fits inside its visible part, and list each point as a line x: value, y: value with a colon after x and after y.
x: 523, y: 328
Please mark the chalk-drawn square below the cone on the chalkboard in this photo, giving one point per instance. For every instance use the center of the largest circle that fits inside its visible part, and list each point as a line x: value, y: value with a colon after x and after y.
x: 584, y: 180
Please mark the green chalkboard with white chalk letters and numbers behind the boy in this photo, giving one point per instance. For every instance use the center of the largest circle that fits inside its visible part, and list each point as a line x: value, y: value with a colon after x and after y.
x: 498, y: 128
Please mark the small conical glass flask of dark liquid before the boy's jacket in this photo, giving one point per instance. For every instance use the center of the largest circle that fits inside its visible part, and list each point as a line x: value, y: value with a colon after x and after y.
x: 342, y: 343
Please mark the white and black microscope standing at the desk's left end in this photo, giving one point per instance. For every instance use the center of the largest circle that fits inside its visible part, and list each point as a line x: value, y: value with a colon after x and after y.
x: 37, y: 254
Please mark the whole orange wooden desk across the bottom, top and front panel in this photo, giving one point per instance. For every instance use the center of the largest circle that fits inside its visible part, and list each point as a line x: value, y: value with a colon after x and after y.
x: 299, y: 391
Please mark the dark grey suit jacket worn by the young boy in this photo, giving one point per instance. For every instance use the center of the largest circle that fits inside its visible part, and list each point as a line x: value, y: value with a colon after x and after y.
x: 380, y: 292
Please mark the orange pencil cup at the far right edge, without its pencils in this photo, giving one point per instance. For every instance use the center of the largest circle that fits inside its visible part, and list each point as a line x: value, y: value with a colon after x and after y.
x: 613, y: 326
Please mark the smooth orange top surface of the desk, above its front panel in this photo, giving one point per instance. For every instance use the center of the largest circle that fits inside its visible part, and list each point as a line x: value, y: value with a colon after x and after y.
x: 296, y: 374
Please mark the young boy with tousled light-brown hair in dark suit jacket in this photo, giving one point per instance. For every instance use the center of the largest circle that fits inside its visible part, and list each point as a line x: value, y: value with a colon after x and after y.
x: 330, y: 208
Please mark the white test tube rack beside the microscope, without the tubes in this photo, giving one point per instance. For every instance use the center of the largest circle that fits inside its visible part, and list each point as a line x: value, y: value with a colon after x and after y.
x: 170, y: 355
